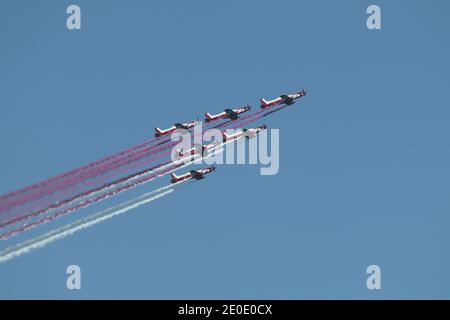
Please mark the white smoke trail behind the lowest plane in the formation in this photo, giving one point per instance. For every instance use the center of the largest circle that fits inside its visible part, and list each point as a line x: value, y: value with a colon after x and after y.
x: 71, y: 228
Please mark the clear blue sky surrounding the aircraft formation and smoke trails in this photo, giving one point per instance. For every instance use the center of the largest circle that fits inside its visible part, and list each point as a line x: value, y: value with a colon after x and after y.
x: 364, y: 173
